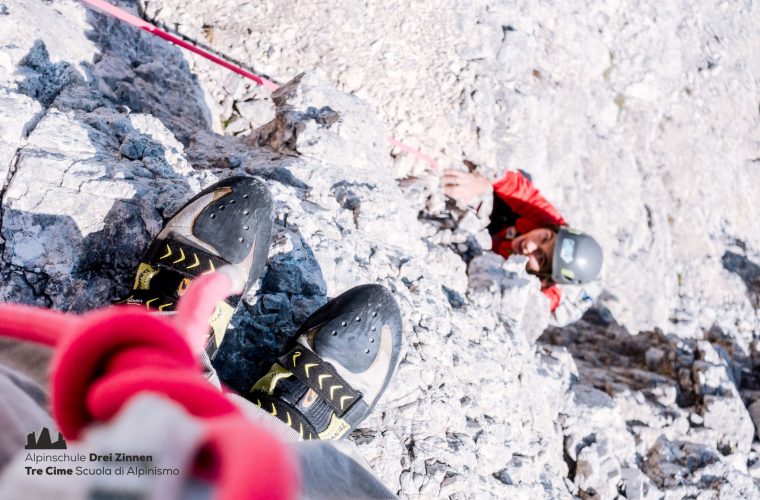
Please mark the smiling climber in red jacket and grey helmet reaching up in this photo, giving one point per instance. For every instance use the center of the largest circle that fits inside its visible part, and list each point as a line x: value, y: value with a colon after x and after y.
x: 522, y: 222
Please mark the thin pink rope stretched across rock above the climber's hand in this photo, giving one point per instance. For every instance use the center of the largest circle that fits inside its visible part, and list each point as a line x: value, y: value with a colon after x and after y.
x: 135, y: 21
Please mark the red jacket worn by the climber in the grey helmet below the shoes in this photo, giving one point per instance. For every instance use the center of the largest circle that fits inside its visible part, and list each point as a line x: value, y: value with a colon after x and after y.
x: 533, y: 211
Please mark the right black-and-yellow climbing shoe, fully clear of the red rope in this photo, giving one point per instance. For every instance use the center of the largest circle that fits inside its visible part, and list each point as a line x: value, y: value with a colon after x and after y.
x: 342, y: 362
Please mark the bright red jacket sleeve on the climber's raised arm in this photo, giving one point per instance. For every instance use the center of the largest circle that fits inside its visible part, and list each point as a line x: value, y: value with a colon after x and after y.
x: 520, y: 194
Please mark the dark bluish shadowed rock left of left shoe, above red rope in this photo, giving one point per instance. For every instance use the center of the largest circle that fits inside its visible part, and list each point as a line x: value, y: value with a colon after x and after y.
x: 48, y: 262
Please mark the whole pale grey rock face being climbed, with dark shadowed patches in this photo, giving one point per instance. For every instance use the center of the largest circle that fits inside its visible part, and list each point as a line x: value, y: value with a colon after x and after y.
x: 104, y: 132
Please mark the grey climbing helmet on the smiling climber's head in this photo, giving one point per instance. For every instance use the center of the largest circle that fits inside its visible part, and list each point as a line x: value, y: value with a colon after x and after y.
x: 577, y: 258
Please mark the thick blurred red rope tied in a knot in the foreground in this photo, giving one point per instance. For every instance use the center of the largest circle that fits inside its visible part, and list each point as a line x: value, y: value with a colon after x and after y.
x: 105, y: 358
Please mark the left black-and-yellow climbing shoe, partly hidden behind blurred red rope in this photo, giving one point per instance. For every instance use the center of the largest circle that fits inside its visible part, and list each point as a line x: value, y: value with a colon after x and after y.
x: 229, y: 223
